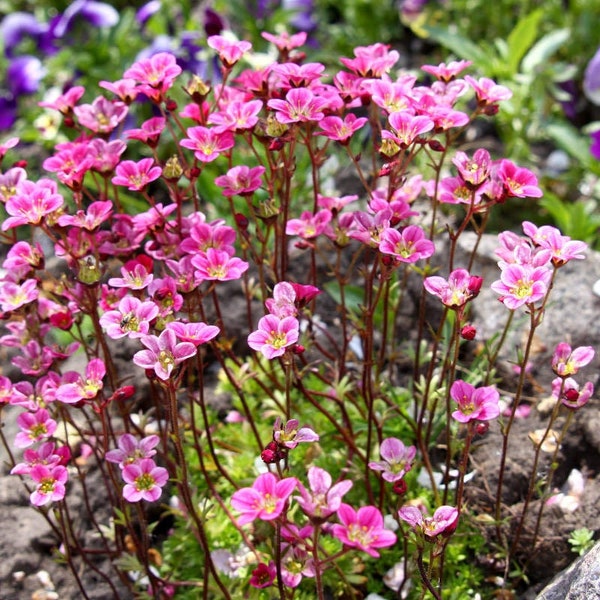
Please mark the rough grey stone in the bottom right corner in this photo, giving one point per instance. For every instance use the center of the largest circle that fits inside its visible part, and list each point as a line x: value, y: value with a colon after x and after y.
x: 580, y: 581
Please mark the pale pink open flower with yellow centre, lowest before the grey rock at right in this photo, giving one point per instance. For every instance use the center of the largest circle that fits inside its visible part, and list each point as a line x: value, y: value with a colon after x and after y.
x: 522, y: 284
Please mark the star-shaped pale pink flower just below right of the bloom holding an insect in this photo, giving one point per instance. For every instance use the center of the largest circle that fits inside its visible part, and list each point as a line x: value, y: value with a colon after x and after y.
x: 163, y: 353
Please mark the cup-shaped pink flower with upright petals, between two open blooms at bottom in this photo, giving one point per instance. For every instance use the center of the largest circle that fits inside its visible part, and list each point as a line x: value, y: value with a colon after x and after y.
x: 323, y: 498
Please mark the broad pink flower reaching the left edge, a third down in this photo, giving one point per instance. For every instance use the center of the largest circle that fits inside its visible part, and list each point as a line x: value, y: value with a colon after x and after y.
x: 32, y: 202
